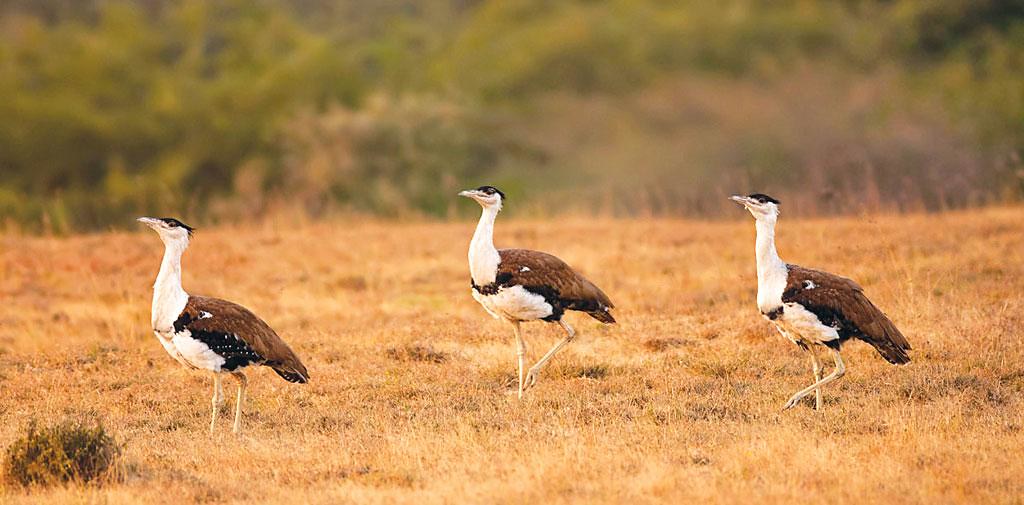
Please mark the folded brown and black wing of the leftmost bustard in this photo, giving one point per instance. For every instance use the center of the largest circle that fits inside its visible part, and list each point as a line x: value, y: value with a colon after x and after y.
x: 221, y: 322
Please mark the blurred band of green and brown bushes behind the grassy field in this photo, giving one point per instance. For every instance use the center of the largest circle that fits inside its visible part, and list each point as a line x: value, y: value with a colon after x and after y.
x: 222, y: 110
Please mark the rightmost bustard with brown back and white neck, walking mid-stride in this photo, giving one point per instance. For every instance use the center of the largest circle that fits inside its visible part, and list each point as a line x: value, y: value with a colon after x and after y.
x: 813, y: 308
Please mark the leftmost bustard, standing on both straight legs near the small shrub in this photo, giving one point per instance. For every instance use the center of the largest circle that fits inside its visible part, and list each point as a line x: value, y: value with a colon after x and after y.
x: 210, y: 333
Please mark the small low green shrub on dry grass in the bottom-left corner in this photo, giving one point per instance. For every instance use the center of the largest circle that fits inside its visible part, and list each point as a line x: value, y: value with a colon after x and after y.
x: 68, y: 452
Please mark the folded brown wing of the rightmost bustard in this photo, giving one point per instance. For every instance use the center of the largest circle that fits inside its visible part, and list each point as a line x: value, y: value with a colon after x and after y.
x: 840, y: 303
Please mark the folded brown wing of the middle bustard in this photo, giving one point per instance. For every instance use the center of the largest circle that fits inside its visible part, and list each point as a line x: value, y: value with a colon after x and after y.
x: 559, y: 283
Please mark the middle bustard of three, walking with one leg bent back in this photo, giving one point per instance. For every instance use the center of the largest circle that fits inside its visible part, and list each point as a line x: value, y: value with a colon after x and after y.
x: 518, y: 285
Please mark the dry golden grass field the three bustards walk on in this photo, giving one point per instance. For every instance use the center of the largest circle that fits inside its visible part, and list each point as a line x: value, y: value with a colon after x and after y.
x: 409, y: 395
